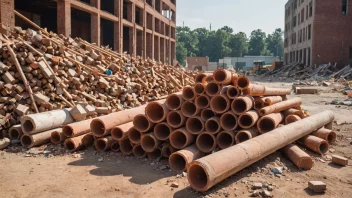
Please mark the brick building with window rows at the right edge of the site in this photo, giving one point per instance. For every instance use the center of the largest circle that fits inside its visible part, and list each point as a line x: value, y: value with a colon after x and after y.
x: 318, y: 32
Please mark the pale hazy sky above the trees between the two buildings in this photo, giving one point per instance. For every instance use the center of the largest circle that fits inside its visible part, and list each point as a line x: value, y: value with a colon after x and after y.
x: 241, y: 15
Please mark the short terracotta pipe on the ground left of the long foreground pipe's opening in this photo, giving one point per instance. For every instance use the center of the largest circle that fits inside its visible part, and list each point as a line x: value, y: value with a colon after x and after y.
x: 179, y: 160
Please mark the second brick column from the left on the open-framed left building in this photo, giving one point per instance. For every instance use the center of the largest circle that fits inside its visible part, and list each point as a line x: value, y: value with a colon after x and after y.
x: 64, y: 17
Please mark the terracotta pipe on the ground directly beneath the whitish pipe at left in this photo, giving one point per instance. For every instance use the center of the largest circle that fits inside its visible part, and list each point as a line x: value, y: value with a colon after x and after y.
x: 31, y: 140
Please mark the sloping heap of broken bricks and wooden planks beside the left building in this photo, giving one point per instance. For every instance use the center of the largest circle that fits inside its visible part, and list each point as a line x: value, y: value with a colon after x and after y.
x: 41, y: 71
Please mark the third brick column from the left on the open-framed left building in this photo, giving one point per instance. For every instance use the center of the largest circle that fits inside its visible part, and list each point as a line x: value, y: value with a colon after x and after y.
x: 95, y: 23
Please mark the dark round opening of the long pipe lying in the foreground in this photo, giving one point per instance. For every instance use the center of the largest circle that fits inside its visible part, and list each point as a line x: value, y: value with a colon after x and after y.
x: 197, y: 177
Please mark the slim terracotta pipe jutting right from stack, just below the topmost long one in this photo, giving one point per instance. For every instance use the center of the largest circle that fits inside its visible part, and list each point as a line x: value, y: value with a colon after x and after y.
x: 281, y: 106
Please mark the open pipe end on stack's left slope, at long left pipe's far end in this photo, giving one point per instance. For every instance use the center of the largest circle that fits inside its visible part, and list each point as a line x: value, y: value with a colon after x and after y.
x: 156, y: 112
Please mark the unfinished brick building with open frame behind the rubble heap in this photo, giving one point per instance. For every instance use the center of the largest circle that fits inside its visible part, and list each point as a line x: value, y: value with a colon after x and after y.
x: 139, y: 27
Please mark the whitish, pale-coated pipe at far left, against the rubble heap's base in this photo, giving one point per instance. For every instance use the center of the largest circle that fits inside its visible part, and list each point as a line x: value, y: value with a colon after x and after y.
x: 35, y: 123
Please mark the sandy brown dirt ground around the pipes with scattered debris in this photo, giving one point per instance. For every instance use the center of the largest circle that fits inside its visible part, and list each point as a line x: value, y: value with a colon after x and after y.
x: 92, y: 174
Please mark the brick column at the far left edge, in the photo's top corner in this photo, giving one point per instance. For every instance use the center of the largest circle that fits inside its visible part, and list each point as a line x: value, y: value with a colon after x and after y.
x: 7, y: 16
